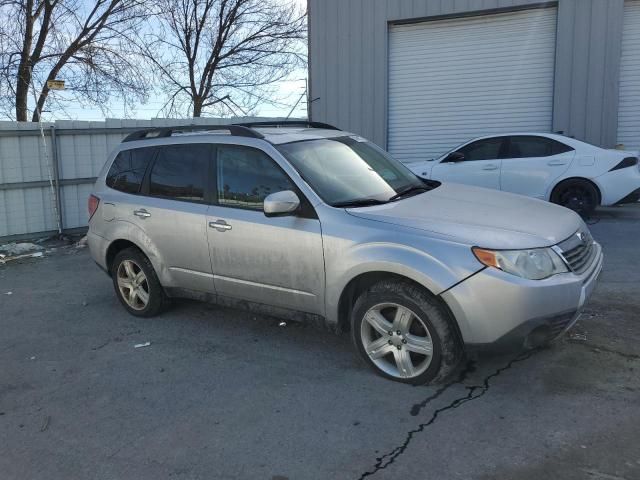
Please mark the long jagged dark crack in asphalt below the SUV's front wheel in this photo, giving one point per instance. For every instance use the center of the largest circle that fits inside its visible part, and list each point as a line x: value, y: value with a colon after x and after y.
x: 473, y: 393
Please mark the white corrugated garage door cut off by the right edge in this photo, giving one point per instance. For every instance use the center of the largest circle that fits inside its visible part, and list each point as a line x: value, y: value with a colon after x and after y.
x: 629, y: 111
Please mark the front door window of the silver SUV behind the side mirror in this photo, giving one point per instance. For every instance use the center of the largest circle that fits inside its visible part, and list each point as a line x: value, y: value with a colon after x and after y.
x: 246, y: 176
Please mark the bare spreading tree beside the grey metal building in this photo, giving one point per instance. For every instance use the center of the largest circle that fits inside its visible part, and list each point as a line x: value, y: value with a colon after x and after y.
x: 224, y: 55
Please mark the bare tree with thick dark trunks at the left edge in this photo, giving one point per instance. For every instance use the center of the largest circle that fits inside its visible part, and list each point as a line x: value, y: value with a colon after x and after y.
x: 86, y: 42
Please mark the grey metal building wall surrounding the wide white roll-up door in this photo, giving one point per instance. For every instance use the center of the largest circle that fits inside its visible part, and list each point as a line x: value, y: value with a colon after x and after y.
x: 348, y: 60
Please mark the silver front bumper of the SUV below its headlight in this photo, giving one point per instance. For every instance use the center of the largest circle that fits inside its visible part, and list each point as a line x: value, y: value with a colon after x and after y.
x: 498, y: 310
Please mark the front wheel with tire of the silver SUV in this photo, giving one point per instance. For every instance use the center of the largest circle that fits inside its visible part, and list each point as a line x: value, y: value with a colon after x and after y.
x: 405, y: 334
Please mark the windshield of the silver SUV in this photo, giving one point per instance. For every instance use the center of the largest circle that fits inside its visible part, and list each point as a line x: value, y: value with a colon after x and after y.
x: 349, y: 171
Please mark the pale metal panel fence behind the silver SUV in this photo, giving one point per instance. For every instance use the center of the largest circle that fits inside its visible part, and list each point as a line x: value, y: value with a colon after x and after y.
x: 76, y: 152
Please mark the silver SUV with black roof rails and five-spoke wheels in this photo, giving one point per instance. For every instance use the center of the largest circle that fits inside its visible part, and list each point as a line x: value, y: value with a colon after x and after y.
x: 311, y: 223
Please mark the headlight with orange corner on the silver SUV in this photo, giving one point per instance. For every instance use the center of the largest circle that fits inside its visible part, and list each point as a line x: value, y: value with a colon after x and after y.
x: 535, y: 264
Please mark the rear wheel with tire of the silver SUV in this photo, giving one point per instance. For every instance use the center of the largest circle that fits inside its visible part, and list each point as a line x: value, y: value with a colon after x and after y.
x: 137, y: 285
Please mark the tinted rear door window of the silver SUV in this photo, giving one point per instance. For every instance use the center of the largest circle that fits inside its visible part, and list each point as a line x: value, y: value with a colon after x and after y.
x: 180, y: 172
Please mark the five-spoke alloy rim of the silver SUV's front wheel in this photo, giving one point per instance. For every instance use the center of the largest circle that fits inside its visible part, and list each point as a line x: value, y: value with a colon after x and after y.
x: 396, y: 340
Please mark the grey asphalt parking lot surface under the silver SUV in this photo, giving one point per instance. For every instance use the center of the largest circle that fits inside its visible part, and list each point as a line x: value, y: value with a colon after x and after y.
x: 223, y: 394
